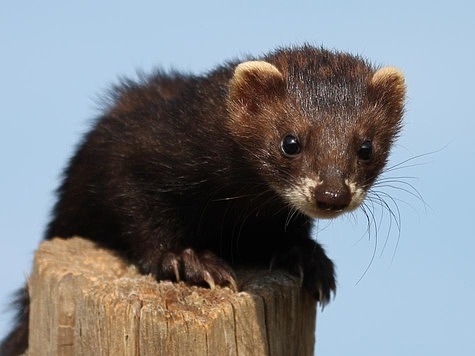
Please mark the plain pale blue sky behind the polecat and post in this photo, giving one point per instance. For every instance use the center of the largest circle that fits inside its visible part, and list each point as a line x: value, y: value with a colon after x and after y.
x: 417, y: 297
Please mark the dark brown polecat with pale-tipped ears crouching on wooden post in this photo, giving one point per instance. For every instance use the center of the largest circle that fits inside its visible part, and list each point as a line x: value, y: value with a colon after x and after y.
x: 186, y: 175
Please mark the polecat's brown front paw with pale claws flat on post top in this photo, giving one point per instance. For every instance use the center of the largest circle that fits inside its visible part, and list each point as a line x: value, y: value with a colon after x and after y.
x: 195, y: 268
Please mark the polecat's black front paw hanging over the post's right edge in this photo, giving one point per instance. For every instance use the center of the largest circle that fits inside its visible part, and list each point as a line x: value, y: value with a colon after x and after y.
x: 308, y: 260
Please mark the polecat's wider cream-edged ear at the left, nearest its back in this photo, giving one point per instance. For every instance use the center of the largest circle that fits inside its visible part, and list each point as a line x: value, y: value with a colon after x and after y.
x: 253, y: 83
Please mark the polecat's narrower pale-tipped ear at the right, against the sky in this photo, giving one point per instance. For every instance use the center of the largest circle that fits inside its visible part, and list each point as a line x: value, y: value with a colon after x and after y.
x: 389, y: 89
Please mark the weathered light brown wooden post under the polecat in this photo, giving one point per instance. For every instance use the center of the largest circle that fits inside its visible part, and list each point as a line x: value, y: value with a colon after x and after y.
x: 87, y: 301
